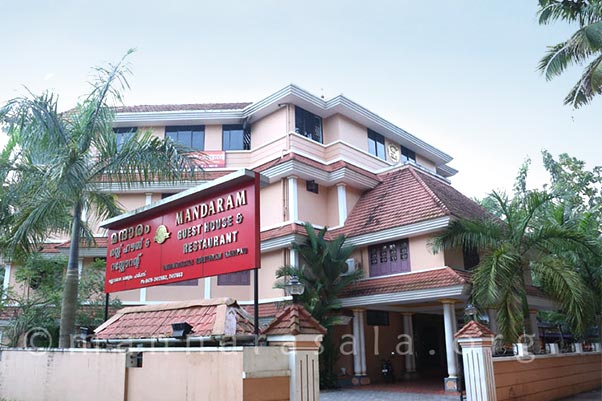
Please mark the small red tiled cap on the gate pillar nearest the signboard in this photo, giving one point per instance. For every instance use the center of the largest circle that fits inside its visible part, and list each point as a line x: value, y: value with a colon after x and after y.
x: 294, y: 320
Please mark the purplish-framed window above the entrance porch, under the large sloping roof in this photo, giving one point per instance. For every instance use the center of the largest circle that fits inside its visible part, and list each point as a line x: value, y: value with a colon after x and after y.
x: 389, y: 258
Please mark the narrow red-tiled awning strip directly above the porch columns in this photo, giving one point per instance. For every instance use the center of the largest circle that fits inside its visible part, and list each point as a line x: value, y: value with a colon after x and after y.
x: 421, y: 280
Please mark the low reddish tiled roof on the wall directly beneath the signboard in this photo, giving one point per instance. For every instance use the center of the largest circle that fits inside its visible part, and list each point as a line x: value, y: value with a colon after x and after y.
x: 211, y: 317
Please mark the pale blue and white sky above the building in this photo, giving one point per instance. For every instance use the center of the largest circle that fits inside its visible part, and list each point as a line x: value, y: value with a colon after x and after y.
x: 458, y: 74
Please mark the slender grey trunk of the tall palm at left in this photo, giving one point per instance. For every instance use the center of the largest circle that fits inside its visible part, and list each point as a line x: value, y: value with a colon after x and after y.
x: 69, y: 304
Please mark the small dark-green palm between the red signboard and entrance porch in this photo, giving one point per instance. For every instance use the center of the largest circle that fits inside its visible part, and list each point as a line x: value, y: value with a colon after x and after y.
x: 323, y: 271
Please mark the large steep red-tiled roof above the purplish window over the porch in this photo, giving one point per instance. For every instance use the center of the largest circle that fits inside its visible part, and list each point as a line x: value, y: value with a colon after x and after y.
x: 408, y: 196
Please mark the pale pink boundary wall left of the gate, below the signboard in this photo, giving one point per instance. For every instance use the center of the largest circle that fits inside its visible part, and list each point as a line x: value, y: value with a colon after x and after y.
x: 192, y: 374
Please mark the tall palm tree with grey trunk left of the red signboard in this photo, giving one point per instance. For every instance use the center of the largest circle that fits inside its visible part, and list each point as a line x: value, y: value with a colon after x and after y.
x: 62, y: 162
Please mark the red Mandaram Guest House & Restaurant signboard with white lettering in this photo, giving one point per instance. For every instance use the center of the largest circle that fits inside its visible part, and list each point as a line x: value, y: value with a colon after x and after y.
x: 201, y: 233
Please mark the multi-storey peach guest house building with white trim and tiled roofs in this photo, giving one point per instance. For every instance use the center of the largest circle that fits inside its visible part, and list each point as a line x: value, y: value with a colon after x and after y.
x: 332, y: 163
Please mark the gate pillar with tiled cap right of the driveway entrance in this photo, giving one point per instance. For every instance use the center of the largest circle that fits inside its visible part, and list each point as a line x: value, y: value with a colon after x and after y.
x: 476, y: 341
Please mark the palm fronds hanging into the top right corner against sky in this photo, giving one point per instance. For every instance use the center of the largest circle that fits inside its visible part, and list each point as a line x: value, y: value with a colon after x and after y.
x: 583, y: 47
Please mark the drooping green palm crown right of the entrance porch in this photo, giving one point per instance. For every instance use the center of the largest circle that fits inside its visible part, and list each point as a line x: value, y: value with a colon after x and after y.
x: 524, y: 244
